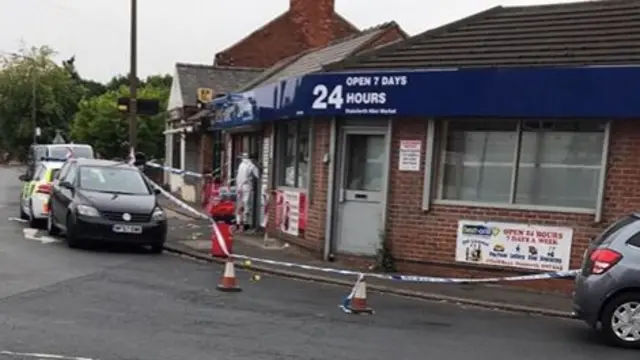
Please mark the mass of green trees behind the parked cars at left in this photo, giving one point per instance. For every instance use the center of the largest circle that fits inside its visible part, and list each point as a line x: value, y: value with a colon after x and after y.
x: 83, y: 109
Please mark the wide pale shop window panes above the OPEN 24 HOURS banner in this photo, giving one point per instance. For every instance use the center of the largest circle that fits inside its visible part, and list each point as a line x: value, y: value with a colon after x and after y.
x: 543, y: 163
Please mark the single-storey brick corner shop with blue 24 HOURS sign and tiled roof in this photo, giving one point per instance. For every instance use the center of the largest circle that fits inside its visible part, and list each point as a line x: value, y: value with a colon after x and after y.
x: 499, y: 144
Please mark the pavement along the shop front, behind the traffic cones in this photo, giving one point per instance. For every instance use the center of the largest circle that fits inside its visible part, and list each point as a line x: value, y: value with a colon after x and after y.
x: 192, y: 237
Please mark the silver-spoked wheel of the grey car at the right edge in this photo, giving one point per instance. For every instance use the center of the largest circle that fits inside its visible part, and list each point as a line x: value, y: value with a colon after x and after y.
x: 621, y: 320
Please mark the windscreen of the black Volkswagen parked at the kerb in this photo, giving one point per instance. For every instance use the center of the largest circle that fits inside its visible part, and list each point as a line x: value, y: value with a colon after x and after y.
x: 113, y: 179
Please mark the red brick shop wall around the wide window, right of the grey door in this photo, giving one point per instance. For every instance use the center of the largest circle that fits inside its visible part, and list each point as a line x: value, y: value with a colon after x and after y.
x: 427, y: 241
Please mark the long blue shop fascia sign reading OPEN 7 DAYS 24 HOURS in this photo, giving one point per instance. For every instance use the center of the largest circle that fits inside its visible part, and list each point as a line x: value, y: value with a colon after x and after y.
x: 578, y: 92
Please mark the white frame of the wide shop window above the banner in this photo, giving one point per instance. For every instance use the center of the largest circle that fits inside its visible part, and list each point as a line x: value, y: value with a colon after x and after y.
x: 436, y: 142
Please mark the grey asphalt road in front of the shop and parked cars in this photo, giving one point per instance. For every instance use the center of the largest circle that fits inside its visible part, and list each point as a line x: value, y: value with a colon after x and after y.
x: 113, y: 304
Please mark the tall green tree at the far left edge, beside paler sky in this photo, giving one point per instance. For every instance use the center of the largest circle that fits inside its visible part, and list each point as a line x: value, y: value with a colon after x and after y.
x: 56, y: 100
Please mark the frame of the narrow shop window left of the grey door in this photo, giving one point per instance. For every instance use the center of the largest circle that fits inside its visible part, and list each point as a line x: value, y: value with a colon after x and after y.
x: 281, y: 136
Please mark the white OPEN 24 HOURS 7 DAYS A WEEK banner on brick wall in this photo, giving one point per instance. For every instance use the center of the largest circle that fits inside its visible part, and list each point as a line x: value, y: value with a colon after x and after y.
x: 543, y: 248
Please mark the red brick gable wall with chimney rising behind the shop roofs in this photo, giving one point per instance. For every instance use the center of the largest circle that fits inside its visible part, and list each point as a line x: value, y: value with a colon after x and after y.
x: 307, y: 24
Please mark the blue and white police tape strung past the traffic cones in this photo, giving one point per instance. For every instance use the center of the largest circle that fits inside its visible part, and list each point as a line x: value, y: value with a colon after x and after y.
x: 393, y: 277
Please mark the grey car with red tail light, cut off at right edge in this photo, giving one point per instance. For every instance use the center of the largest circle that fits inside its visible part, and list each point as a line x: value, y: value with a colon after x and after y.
x: 607, y: 289
